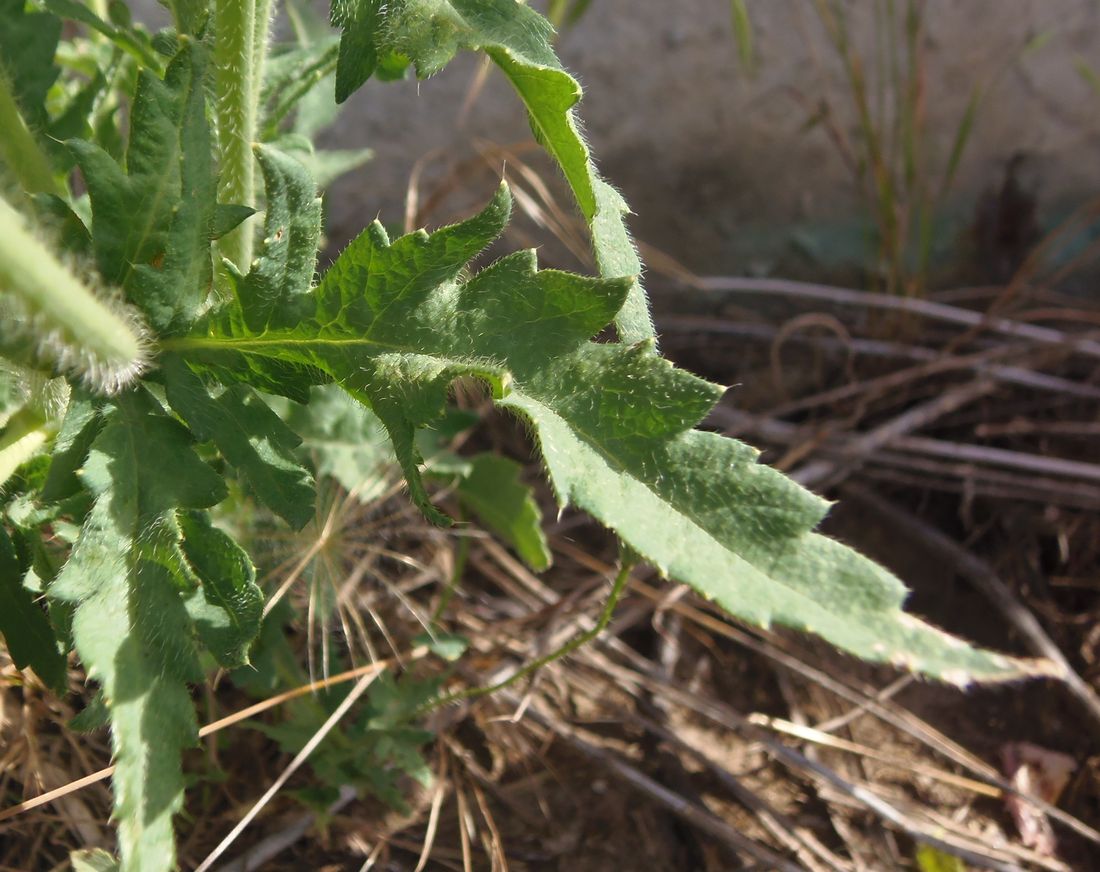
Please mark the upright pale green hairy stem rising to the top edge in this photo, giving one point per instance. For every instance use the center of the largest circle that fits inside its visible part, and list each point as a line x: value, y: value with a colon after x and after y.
x: 241, y: 36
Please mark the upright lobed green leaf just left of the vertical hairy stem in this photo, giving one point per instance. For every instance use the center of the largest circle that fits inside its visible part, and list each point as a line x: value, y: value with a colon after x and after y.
x: 152, y: 220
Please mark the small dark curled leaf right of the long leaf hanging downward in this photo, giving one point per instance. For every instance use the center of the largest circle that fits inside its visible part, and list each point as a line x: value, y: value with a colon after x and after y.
x: 229, y: 608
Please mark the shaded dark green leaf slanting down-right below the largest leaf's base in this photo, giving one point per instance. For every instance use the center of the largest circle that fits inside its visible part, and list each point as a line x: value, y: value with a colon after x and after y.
x: 250, y: 437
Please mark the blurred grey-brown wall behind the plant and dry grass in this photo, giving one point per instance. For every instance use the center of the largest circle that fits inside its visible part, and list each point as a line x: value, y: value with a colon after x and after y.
x: 795, y: 137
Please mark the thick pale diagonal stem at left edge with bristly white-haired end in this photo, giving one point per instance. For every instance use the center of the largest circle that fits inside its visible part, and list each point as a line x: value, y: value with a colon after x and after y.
x: 69, y: 324
